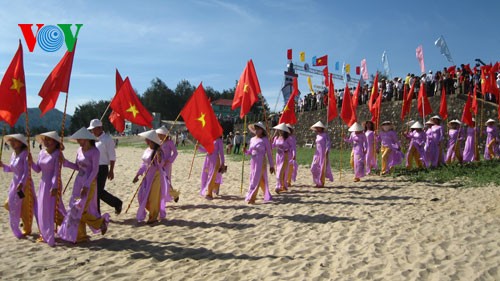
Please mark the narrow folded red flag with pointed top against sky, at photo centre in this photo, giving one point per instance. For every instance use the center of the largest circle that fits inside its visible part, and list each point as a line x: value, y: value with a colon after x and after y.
x: 247, y: 91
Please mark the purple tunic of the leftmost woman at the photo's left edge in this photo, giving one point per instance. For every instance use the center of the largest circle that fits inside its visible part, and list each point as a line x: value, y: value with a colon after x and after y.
x: 19, y: 167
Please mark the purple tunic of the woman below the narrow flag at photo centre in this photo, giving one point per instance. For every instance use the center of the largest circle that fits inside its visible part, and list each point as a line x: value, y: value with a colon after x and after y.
x: 259, y: 148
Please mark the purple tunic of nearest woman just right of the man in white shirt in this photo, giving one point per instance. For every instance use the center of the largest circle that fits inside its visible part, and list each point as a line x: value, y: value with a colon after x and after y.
x: 145, y: 188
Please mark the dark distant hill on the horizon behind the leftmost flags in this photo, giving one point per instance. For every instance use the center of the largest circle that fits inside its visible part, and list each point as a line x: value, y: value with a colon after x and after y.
x: 51, y: 120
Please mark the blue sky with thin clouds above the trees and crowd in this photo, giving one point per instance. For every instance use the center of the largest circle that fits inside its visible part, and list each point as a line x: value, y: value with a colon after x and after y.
x: 211, y: 40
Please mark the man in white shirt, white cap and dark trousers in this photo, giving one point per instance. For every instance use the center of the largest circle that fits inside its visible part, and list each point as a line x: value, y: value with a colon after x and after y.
x: 107, y: 159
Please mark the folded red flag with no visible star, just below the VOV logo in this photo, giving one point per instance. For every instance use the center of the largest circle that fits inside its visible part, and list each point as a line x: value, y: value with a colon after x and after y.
x: 56, y: 82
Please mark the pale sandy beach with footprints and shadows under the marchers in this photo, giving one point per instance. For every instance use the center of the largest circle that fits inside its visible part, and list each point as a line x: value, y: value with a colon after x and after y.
x: 377, y: 229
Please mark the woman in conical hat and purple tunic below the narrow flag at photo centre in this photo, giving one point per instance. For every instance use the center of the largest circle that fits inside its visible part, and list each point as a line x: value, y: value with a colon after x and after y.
x: 259, y: 149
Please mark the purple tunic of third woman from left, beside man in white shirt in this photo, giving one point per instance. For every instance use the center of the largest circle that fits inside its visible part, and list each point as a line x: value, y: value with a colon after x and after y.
x: 87, y: 165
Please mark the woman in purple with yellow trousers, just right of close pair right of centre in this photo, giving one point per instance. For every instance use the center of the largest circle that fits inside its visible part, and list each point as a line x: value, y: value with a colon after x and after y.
x: 390, y: 148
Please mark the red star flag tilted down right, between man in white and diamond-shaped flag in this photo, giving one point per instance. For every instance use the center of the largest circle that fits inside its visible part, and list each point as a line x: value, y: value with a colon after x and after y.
x: 129, y: 107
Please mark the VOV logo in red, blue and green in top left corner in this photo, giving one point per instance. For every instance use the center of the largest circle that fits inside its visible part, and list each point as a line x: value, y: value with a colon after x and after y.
x: 50, y: 37
